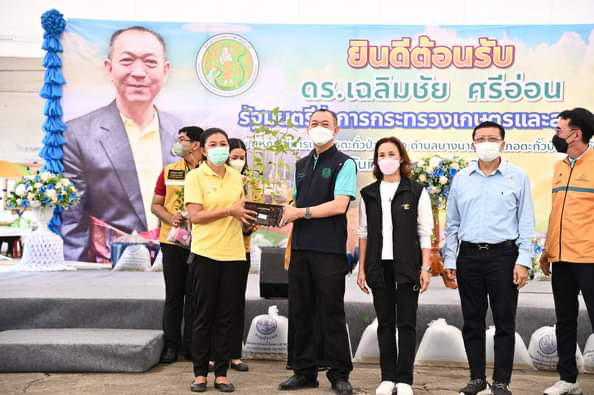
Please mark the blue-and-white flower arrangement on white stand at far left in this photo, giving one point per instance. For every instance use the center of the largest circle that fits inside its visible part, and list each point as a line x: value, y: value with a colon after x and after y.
x: 44, y: 250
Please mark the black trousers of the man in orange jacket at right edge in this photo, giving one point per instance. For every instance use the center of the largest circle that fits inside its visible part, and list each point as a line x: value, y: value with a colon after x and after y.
x: 568, y: 280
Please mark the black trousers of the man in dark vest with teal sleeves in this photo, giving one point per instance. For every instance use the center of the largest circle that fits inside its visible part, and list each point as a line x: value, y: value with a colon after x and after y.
x: 316, y: 292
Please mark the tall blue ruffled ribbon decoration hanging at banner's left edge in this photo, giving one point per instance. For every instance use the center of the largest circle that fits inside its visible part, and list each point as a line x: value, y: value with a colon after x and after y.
x: 53, y: 24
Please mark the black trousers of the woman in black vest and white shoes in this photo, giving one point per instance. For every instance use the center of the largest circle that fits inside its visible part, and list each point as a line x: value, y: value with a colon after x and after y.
x: 396, y: 305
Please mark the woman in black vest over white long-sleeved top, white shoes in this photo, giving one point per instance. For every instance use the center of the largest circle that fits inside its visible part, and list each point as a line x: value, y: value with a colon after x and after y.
x: 395, y: 227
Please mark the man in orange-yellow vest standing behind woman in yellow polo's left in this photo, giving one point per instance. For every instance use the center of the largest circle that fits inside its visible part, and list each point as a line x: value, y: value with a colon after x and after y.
x: 167, y: 206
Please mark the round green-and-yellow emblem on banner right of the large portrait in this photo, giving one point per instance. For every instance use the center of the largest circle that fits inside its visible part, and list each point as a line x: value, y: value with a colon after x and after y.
x: 227, y: 65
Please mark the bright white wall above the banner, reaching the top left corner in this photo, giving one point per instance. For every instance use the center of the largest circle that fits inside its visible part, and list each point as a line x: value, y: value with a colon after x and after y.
x: 20, y: 28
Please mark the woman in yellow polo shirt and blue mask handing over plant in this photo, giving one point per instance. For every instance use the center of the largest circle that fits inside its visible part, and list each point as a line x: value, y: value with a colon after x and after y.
x: 214, y: 198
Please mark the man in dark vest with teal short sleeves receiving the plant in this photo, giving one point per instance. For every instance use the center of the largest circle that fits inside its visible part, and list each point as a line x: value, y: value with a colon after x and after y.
x: 325, y: 183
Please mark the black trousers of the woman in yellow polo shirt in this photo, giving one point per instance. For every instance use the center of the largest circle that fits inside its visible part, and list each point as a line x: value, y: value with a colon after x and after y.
x: 216, y: 292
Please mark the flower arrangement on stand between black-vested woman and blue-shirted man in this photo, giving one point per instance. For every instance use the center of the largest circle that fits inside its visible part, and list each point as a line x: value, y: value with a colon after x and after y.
x: 436, y: 173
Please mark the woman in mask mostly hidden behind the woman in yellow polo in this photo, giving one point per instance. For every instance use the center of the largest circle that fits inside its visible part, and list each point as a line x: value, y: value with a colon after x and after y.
x: 238, y: 161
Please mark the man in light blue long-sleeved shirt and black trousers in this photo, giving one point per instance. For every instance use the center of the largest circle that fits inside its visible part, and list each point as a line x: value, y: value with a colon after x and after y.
x: 489, y: 231
